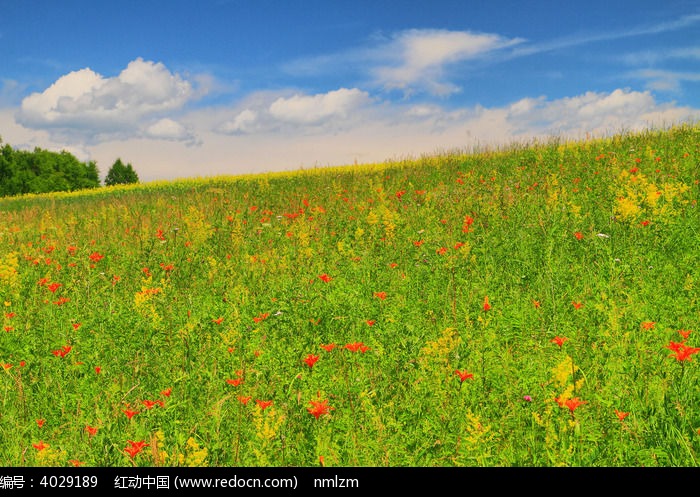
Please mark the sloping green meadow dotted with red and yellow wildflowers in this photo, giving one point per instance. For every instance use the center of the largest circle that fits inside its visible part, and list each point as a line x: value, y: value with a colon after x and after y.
x: 531, y: 306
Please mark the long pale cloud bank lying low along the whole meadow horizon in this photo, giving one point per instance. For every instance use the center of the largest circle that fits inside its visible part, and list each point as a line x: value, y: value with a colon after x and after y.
x: 372, y: 131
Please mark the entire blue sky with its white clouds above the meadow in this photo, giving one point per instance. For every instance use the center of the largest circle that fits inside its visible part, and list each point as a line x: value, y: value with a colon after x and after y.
x: 200, y: 88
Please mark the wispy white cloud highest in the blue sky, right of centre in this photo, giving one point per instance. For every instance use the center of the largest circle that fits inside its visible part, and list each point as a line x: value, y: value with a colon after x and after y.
x: 422, y: 57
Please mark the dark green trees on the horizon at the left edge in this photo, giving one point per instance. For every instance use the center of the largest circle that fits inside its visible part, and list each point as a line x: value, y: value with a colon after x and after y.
x: 43, y: 171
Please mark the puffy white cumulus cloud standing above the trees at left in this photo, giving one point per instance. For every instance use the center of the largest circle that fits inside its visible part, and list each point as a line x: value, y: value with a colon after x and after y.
x: 93, y: 107
